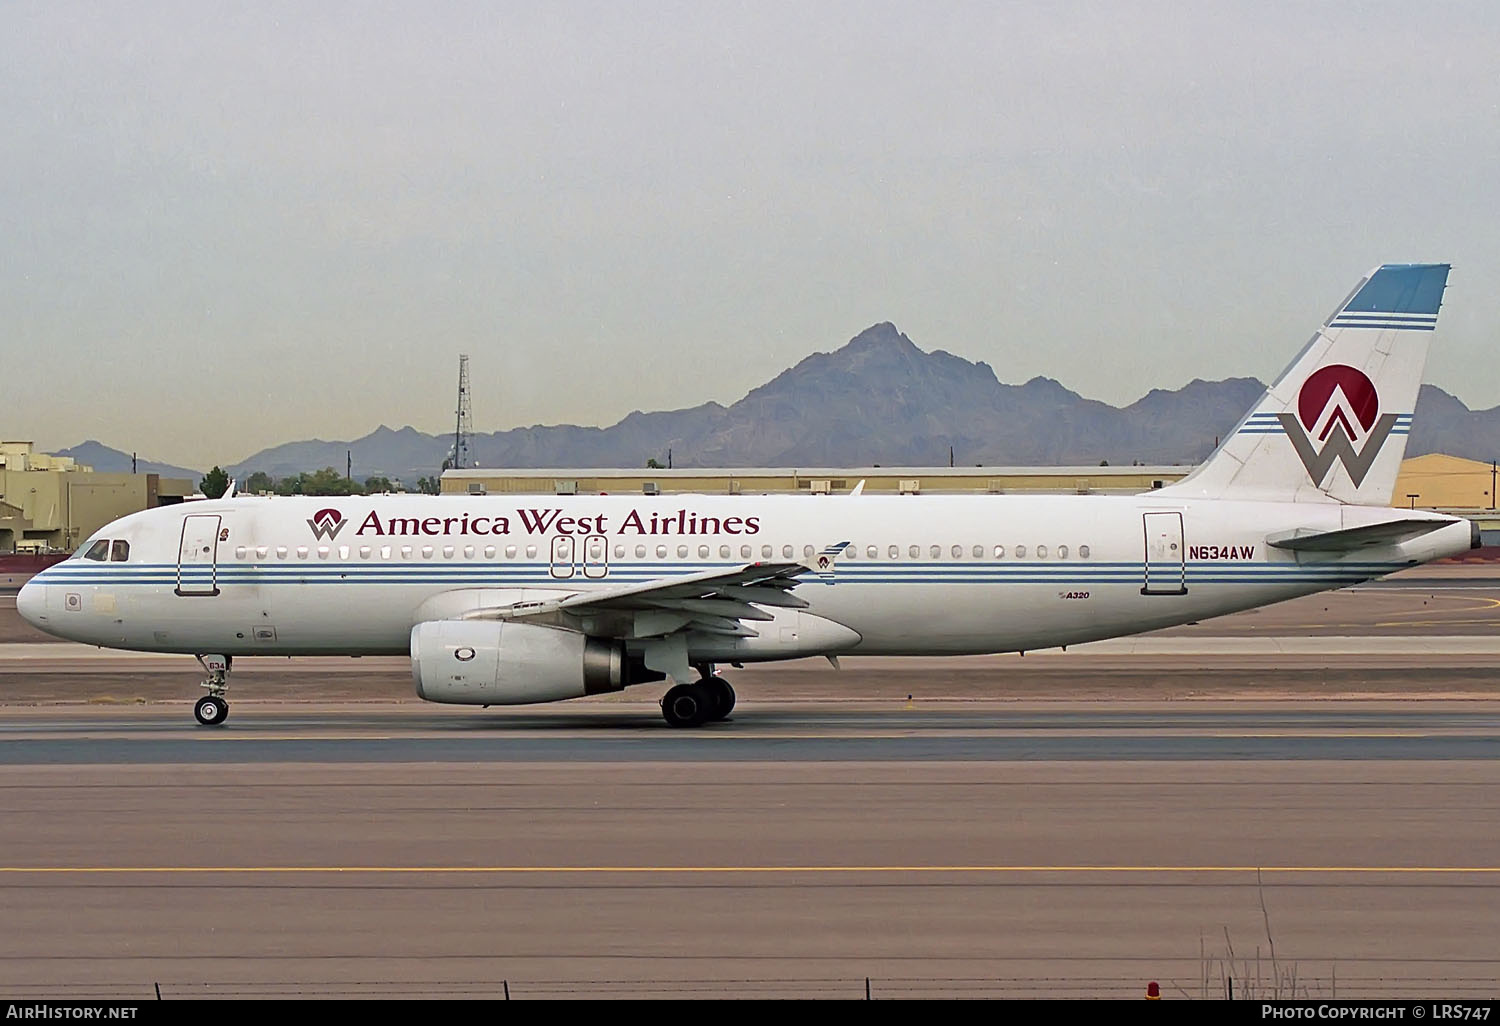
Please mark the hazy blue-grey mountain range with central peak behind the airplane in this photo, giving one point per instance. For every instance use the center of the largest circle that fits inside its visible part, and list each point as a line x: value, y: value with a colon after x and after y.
x: 877, y: 401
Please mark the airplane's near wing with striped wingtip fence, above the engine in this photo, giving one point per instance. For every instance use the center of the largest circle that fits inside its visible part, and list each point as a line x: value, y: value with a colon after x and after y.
x: 713, y: 602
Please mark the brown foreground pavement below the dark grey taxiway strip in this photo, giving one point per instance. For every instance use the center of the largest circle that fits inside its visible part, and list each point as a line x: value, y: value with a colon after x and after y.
x: 749, y: 878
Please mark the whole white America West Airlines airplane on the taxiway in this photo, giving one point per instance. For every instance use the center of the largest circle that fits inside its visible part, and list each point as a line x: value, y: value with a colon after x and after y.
x: 508, y: 601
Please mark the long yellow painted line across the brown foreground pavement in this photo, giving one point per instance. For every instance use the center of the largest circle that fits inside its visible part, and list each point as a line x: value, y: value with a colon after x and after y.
x: 728, y: 871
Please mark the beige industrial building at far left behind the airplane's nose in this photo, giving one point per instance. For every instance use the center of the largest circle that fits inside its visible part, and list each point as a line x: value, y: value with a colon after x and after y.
x: 52, y: 503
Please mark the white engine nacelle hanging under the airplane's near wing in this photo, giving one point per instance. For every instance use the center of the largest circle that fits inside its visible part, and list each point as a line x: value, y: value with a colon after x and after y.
x: 487, y: 662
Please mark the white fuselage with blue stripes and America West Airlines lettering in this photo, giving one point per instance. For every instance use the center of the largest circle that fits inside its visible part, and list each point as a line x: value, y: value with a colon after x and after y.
x: 925, y: 575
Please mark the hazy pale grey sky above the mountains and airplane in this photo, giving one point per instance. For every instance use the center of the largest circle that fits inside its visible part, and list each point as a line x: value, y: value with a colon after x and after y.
x: 229, y: 226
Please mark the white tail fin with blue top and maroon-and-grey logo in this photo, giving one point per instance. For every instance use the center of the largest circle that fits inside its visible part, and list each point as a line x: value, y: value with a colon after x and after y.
x: 1334, y: 425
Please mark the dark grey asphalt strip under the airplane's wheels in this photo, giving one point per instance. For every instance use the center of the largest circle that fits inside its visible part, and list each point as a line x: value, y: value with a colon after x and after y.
x: 761, y: 733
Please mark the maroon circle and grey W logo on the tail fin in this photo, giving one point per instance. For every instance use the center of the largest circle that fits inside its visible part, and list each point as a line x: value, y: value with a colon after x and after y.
x: 1339, y: 406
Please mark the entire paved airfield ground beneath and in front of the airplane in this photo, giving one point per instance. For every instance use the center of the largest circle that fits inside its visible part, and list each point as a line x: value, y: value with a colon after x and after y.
x: 1303, y: 803
